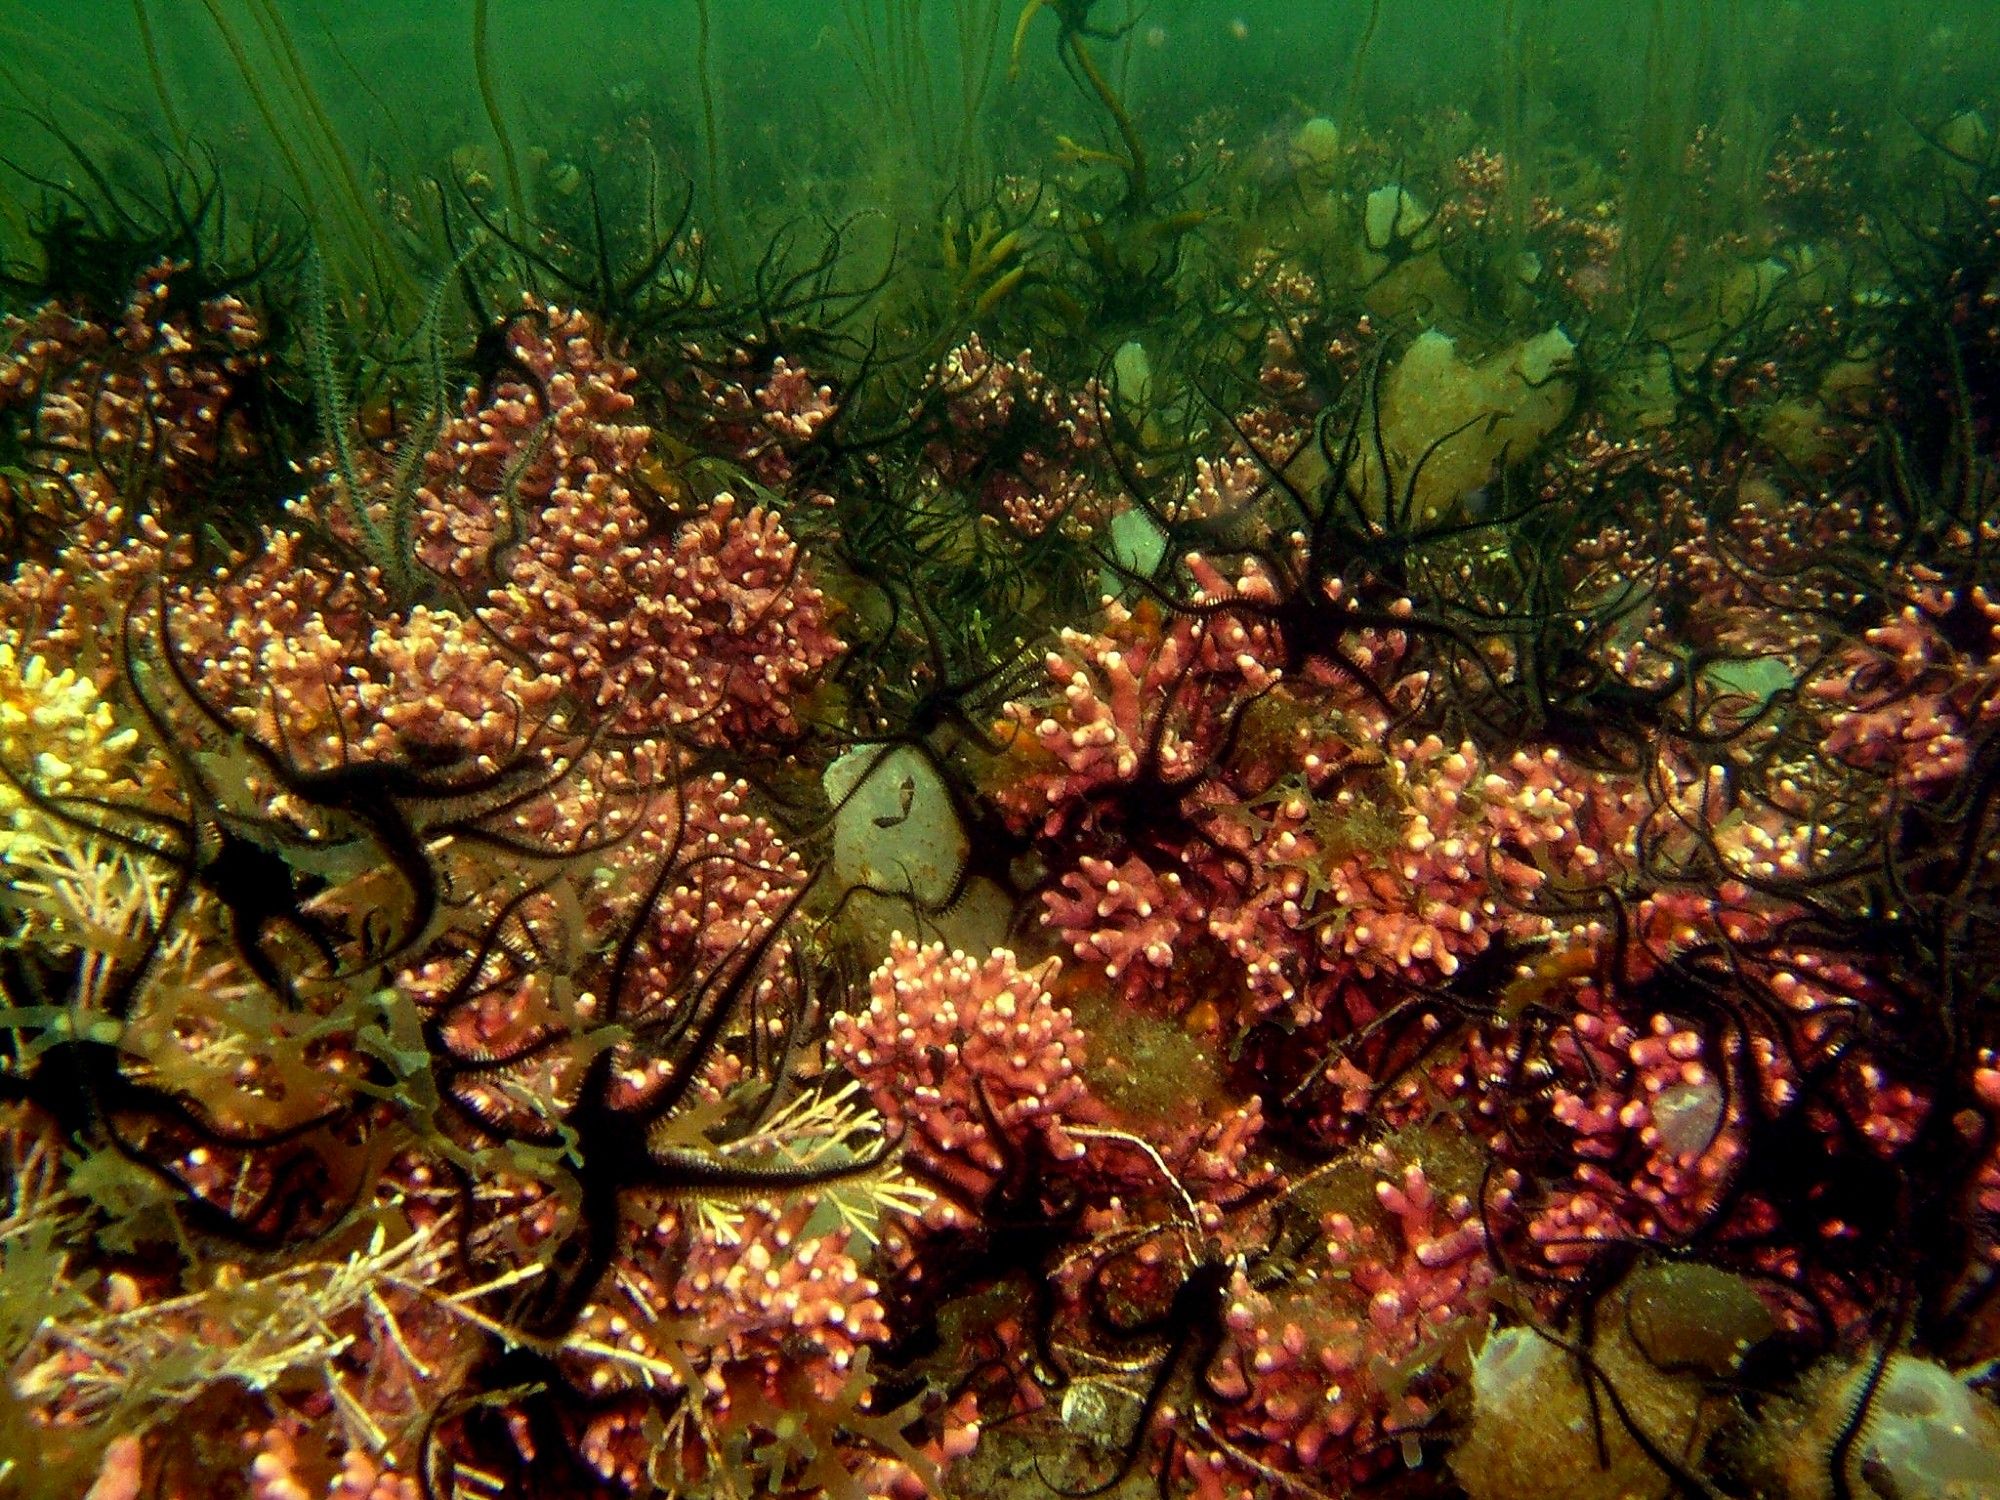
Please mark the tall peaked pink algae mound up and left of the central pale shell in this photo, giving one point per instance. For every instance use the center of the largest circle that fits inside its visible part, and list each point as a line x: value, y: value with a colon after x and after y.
x: 707, y: 629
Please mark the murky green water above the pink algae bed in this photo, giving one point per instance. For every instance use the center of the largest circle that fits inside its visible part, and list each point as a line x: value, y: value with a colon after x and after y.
x: 887, y: 107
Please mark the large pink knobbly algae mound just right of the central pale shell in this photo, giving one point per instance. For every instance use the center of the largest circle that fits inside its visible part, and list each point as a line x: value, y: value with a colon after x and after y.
x: 1167, y: 739
